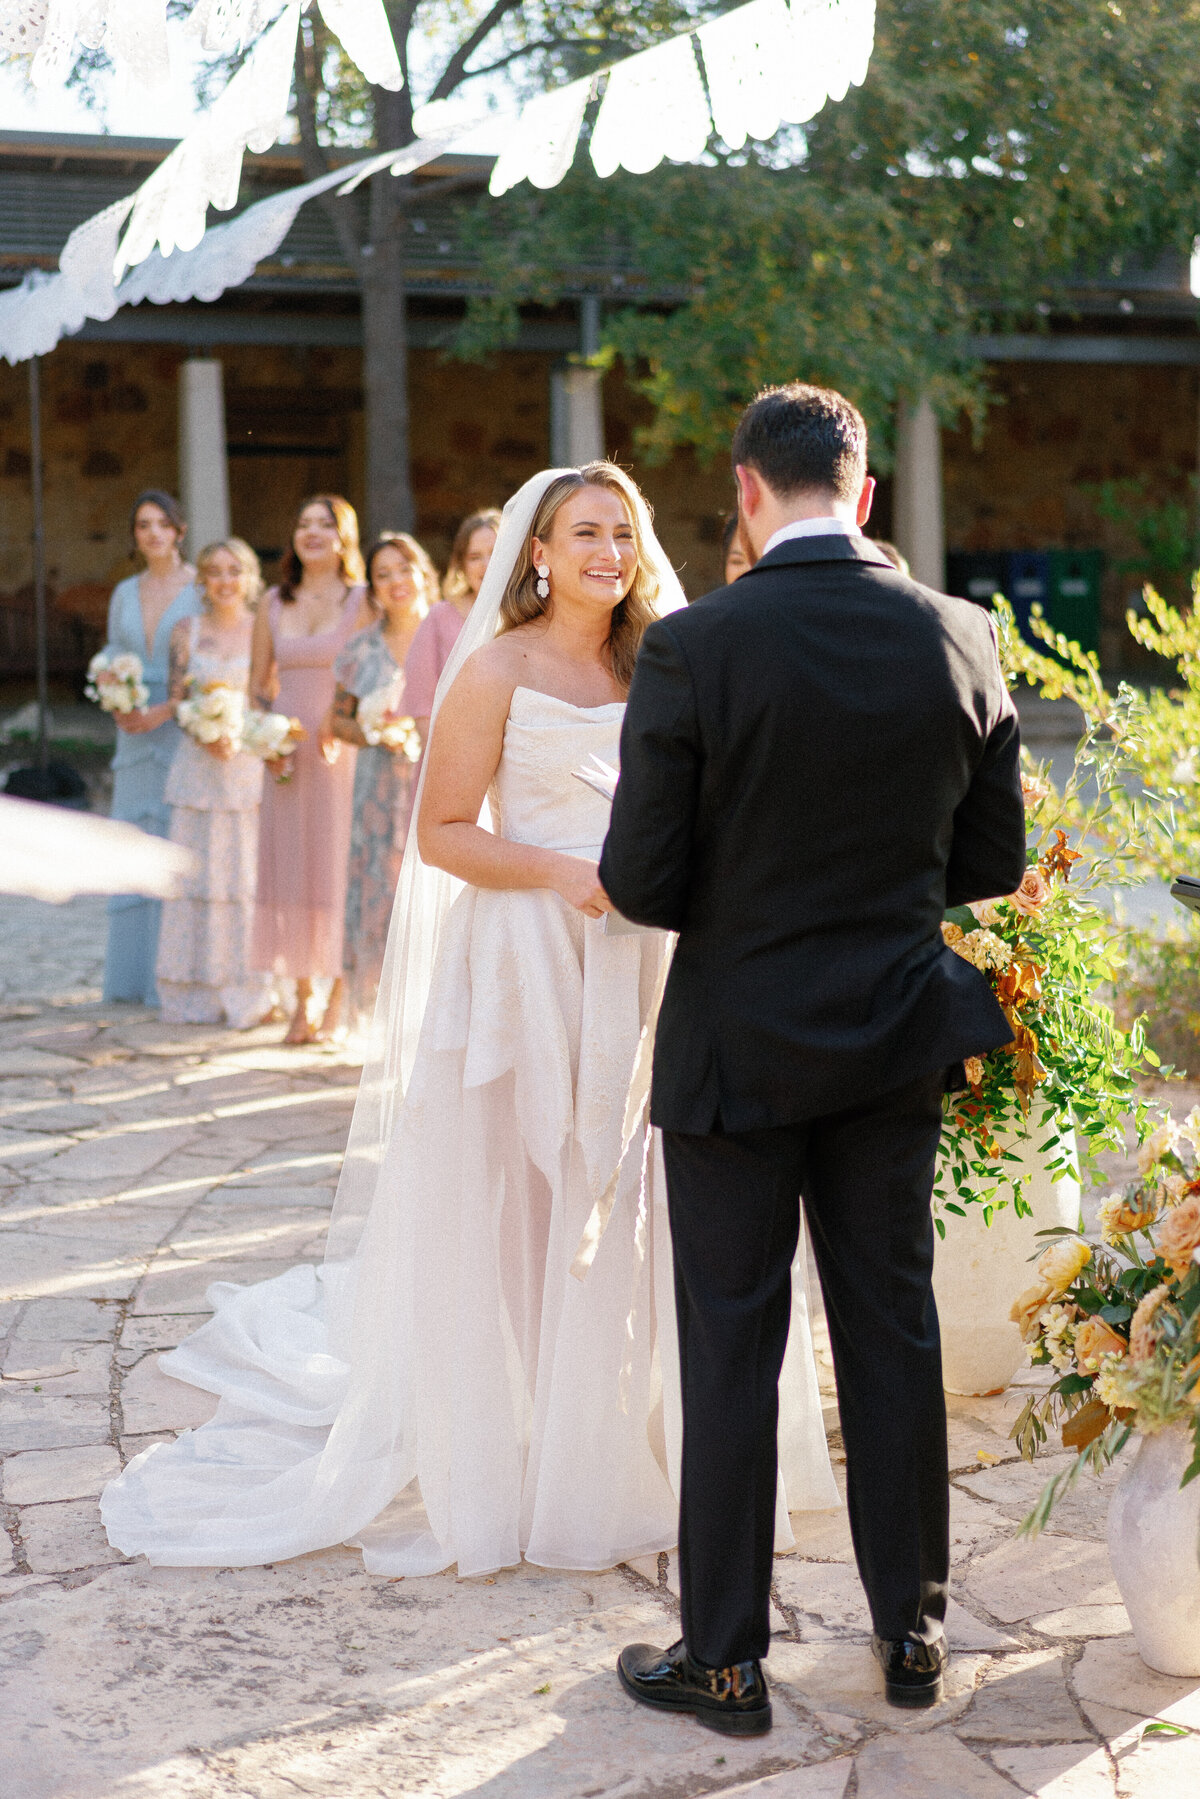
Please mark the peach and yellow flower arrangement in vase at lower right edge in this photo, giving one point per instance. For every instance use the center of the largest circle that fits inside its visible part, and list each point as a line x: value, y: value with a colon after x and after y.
x: 1120, y: 1325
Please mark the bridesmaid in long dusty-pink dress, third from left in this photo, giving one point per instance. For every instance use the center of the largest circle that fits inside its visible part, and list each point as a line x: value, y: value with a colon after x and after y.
x: 305, y: 821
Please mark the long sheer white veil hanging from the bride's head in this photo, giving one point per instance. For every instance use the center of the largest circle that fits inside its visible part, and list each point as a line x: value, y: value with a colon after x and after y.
x: 425, y: 895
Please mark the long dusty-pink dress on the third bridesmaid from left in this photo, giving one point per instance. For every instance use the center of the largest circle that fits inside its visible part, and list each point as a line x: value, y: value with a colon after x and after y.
x: 305, y: 823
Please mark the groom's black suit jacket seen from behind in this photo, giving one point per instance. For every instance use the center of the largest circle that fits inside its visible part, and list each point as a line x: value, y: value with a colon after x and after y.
x: 814, y: 764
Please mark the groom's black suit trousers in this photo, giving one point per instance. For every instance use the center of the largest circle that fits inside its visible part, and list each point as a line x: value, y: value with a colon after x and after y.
x: 866, y: 1179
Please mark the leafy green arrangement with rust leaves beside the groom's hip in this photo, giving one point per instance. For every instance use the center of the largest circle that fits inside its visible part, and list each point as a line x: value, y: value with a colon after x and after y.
x: 1053, y: 958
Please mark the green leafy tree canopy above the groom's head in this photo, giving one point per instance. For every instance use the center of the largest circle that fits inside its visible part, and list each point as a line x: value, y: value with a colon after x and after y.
x: 996, y: 154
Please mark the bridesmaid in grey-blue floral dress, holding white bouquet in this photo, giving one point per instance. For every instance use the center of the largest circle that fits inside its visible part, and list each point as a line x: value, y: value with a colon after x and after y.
x: 404, y: 584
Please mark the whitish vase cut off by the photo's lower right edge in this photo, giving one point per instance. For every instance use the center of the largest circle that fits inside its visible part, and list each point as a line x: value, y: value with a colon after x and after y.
x: 1154, y: 1546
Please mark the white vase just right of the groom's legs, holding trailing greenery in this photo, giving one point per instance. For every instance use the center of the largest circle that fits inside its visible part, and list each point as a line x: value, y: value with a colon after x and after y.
x: 981, y: 1269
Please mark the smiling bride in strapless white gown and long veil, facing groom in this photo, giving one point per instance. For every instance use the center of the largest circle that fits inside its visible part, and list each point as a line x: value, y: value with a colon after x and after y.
x: 487, y: 1366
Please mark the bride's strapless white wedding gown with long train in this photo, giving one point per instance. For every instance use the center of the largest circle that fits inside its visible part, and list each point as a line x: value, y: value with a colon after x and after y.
x: 456, y: 1395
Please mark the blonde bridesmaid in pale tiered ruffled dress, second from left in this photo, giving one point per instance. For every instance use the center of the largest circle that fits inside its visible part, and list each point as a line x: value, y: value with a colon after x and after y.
x: 204, y: 947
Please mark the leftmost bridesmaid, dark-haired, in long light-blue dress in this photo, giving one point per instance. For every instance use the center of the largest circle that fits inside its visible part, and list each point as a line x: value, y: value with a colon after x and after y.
x: 141, y: 618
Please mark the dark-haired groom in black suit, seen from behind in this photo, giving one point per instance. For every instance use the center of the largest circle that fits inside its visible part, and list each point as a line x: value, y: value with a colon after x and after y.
x: 816, y: 762
